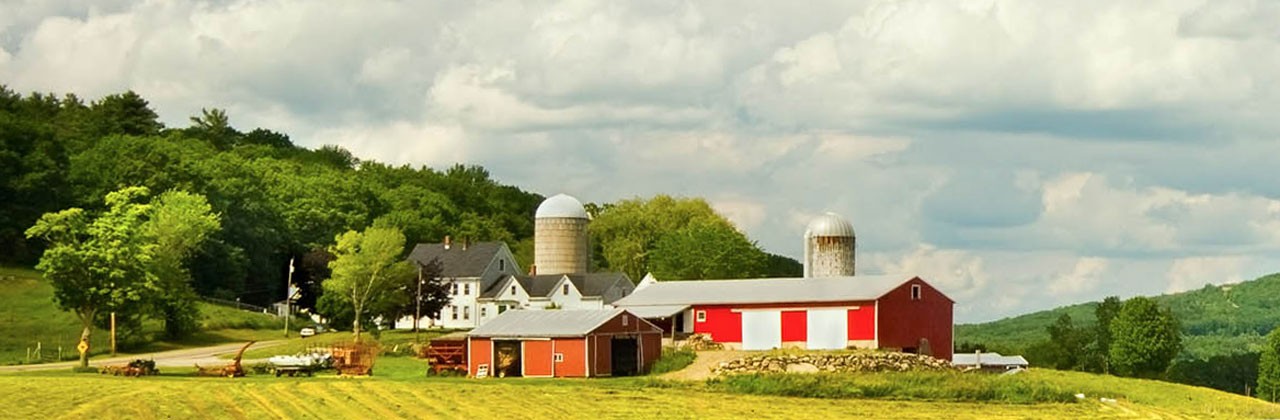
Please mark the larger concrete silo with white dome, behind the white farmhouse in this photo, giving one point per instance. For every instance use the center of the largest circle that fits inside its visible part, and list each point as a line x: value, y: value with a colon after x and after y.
x: 561, y: 241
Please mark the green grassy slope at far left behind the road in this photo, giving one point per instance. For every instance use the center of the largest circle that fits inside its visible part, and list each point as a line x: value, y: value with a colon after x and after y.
x: 31, y: 318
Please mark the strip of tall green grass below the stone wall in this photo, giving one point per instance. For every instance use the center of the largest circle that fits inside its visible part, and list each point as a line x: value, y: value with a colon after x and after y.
x: 898, y: 386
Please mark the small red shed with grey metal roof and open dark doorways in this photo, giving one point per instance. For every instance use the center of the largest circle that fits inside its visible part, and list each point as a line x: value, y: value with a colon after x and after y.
x: 564, y: 344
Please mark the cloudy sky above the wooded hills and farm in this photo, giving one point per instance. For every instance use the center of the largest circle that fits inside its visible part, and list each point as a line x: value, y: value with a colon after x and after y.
x: 1018, y: 154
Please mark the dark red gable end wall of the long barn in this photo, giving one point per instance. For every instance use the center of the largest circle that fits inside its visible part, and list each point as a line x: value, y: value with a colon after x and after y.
x: 904, y: 322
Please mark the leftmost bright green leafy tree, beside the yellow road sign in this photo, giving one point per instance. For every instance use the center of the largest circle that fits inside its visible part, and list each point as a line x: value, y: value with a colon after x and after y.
x: 100, y: 264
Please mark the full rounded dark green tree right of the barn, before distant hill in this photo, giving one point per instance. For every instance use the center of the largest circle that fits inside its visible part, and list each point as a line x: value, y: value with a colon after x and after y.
x: 1145, y: 340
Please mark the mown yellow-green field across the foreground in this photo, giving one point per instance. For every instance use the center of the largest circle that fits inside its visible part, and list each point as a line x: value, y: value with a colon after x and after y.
x: 401, y: 391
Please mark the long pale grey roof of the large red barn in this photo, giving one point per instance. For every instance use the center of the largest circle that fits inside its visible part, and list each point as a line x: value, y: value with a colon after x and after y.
x: 765, y: 291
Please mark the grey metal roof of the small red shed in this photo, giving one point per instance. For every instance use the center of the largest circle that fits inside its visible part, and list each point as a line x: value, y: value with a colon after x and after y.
x: 546, y: 323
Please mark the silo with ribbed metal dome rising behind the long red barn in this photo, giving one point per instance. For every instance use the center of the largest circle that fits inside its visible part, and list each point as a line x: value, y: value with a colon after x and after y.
x: 829, y: 248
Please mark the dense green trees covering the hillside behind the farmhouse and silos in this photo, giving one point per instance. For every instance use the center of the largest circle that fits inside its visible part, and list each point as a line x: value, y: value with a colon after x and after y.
x: 71, y: 171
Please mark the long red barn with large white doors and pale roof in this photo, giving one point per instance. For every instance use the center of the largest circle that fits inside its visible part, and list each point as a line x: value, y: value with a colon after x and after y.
x: 868, y: 312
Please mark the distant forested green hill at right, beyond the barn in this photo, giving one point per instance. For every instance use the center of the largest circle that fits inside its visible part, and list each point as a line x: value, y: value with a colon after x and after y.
x: 1215, y: 319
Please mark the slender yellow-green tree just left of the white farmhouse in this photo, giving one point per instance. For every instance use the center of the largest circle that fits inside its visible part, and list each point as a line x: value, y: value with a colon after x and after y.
x: 367, y: 272
